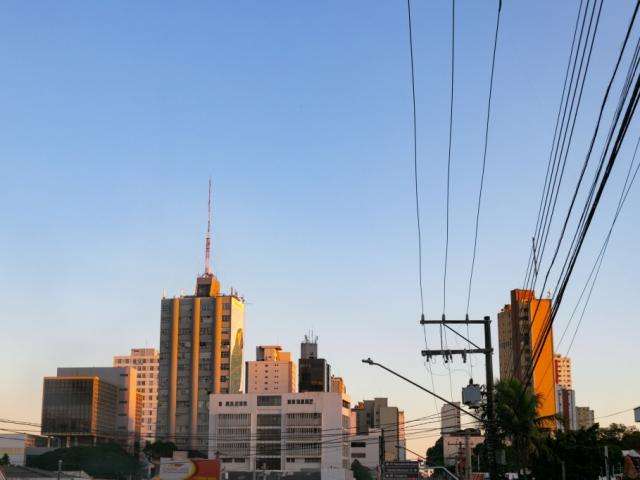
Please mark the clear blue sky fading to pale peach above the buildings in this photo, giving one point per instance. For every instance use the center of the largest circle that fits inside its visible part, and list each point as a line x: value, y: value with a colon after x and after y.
x: 114, y: 114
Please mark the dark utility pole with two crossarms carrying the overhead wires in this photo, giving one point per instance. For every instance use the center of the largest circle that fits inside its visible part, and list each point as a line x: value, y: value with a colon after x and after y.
x: 487, y: 351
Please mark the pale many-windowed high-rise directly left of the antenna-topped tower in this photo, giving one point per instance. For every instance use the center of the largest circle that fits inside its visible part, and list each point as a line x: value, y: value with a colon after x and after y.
x: 145, y: 361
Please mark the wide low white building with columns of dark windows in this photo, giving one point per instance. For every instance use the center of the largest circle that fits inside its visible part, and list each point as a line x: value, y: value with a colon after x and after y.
x: 289, y: 432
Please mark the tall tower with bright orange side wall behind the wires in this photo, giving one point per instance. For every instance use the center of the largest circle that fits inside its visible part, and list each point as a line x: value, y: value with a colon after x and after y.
x: 520, y: 328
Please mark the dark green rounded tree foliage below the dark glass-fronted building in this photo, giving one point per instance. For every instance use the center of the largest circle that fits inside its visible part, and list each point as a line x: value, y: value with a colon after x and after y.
x: 101, y: 461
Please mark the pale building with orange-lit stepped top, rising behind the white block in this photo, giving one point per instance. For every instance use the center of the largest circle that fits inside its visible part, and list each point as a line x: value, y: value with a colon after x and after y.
x: 273, y: 371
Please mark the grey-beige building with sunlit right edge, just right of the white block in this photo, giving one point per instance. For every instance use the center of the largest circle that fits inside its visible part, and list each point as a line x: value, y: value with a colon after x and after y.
x: 377, y: 413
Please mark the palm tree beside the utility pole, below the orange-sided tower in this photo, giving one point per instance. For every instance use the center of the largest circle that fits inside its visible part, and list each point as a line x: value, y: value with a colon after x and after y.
x: 517, y: 420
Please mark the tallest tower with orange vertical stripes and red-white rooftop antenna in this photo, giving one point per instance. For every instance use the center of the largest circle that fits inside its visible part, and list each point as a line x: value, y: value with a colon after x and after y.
x: 201, y: 344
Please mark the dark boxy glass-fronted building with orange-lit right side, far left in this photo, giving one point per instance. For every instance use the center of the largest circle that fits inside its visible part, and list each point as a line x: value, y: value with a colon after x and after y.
x: 79, y: 410
